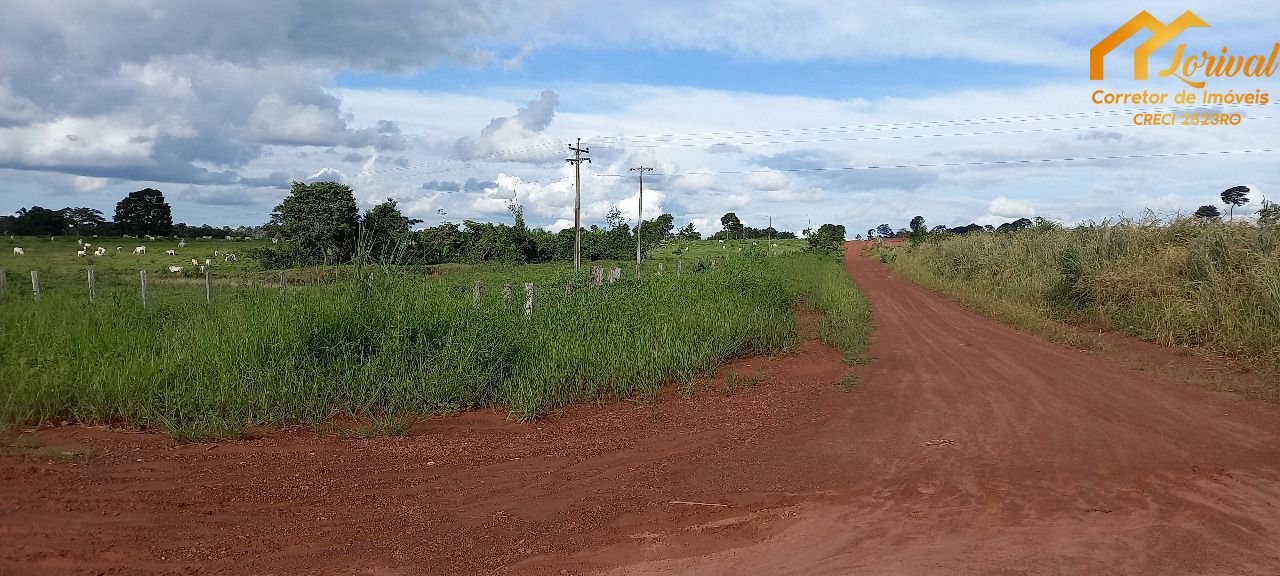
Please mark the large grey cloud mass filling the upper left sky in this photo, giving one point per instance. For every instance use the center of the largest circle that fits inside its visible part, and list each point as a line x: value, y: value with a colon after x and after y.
x: 193, y: 93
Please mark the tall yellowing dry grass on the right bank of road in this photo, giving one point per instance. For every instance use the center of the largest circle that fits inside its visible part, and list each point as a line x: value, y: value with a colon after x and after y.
x: 1210, y: 286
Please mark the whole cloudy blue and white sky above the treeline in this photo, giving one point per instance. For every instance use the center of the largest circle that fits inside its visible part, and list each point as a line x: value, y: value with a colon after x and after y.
x: 797, y: 113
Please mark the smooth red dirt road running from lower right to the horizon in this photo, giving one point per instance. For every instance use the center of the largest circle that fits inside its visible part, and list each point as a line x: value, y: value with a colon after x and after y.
x: 975, y: 449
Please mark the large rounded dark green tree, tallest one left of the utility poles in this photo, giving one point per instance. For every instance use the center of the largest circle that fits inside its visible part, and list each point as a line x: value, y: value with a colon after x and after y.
x: 321, y: 223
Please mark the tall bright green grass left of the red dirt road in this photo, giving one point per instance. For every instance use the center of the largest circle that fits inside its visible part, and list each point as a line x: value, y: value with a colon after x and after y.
x: 385, y: 344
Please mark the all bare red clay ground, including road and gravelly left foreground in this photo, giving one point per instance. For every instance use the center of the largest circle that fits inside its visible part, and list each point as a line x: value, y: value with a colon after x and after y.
x: 970, y: 449
